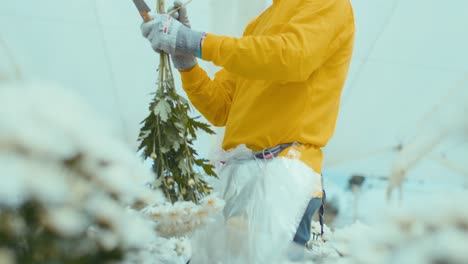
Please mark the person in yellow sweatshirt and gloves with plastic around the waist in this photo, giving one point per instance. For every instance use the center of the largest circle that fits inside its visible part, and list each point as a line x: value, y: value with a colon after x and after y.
x: 278, y: 94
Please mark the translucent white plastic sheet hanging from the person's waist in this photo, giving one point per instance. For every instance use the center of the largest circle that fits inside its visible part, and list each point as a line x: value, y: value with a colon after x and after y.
x: 265, y: 200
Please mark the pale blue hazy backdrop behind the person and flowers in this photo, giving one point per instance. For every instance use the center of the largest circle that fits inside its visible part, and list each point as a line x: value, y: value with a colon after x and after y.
x: 402, y: 117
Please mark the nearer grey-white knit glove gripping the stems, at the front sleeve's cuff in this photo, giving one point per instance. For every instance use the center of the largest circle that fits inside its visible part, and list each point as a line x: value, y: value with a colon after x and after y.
x: 169, y: 35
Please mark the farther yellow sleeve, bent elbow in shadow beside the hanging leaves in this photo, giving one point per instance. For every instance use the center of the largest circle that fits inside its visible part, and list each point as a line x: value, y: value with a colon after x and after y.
x: 211, y: 97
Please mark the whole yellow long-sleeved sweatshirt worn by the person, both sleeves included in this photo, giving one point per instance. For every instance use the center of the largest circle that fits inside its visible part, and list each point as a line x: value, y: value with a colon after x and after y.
x: 282, y: 81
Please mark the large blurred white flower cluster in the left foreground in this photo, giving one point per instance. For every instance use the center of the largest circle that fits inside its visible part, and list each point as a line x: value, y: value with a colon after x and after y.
x: 54, y: 151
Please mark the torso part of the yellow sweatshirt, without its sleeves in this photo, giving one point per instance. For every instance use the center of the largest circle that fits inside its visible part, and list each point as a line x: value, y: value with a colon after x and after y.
x: 267, y: 113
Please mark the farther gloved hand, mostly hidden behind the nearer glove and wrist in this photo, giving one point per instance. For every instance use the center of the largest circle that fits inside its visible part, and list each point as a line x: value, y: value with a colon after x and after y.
x: 183, y: 61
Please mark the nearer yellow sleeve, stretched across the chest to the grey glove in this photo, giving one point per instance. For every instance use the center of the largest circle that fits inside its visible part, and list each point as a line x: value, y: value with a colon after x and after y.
x: 291, y: 54
